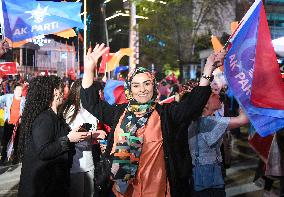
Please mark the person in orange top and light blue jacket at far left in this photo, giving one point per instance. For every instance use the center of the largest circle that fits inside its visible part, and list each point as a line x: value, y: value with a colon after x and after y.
x: 14, y: 105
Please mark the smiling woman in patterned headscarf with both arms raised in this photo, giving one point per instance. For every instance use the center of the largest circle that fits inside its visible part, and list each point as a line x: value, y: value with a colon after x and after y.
x: 143, y: 147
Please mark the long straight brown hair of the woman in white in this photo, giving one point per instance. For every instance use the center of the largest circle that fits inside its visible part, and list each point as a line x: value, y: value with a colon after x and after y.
x: 73, y: 99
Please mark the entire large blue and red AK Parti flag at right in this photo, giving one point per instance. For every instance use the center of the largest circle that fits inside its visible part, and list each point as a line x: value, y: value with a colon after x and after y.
x: 242, y: 71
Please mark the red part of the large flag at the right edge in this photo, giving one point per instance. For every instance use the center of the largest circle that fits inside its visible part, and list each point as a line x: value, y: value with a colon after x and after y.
x: 267, y: 86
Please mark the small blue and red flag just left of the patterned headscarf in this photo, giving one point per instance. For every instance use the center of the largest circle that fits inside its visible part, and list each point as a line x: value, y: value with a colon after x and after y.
x: 114, y: 92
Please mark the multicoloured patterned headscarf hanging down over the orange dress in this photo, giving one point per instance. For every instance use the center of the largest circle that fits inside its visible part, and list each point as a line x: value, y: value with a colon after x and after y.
x: 129, y: 146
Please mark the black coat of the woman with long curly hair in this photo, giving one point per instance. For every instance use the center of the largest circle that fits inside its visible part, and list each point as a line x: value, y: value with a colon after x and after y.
x: 47, y: 158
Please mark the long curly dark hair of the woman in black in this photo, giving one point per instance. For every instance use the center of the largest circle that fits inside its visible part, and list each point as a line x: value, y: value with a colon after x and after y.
x: 39, y: 98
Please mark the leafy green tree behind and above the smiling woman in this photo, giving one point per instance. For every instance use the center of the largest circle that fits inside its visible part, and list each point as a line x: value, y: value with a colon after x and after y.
x: 172, y: 30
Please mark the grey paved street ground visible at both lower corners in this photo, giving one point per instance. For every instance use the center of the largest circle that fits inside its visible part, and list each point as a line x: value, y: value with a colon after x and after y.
x: 238, y: 181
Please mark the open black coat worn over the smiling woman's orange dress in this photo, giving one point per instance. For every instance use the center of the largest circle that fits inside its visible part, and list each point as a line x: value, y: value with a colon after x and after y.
x: 175, y: 117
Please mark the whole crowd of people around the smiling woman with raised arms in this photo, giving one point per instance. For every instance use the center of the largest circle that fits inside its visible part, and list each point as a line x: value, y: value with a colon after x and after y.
x: 71, y: 142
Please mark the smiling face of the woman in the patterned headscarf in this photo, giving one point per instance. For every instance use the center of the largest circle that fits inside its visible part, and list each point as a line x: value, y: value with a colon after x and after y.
x: 142, y: 88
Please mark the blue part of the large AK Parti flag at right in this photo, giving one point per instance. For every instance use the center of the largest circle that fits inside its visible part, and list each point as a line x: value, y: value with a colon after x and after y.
x: 240, y: 67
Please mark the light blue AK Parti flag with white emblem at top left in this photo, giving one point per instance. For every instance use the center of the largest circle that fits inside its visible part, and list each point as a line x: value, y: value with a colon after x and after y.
x: 27, y: 19
